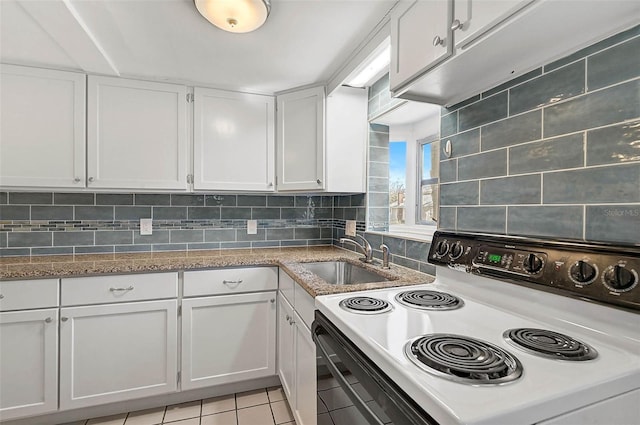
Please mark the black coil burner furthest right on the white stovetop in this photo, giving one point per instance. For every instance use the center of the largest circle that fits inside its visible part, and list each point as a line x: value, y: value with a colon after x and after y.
x: 545, y: 343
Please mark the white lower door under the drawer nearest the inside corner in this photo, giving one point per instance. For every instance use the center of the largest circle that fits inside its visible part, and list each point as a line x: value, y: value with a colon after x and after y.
x: 228, y: 338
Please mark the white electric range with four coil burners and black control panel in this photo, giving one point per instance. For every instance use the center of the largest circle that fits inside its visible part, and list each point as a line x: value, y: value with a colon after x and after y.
x: 457, y: 359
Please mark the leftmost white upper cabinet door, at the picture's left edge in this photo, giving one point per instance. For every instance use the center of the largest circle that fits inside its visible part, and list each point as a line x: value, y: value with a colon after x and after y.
x: 42, y: 128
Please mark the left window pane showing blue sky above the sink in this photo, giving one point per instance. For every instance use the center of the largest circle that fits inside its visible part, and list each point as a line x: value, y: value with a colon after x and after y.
x: 397, y: 181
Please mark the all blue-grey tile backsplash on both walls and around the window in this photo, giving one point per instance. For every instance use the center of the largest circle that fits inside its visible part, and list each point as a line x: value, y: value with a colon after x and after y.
x: 555, y: 152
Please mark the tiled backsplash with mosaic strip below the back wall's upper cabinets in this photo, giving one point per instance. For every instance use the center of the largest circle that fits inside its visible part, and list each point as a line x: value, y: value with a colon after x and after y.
x: 79, y: 223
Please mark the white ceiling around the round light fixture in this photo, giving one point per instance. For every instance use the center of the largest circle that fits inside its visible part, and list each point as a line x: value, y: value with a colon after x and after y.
x: 303, y: 41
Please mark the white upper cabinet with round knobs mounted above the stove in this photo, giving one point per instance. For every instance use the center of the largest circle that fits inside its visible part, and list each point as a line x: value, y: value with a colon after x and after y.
x: 492, y: 41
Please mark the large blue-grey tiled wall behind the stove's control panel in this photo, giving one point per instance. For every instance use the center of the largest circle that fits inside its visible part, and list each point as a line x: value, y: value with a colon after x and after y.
x: 554, y: 153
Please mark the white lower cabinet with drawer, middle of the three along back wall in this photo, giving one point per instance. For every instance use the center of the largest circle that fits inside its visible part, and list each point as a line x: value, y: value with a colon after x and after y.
x: 124, y: 346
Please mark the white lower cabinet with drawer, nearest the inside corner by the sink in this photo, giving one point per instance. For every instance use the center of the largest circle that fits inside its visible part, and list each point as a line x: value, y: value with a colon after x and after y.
x: 228, y: 338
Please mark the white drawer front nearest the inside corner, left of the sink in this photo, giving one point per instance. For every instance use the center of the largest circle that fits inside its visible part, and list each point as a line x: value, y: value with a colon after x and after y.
x: 230, y: 281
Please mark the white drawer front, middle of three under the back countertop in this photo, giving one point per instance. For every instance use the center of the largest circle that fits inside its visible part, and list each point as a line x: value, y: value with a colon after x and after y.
x: 121, y: 288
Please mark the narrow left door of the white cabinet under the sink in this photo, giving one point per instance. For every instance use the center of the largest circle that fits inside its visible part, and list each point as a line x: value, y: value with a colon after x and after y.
x: 286, y: 347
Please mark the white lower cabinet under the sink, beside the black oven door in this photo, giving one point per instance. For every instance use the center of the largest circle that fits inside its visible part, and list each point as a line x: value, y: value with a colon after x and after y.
x: 297, y: 353
